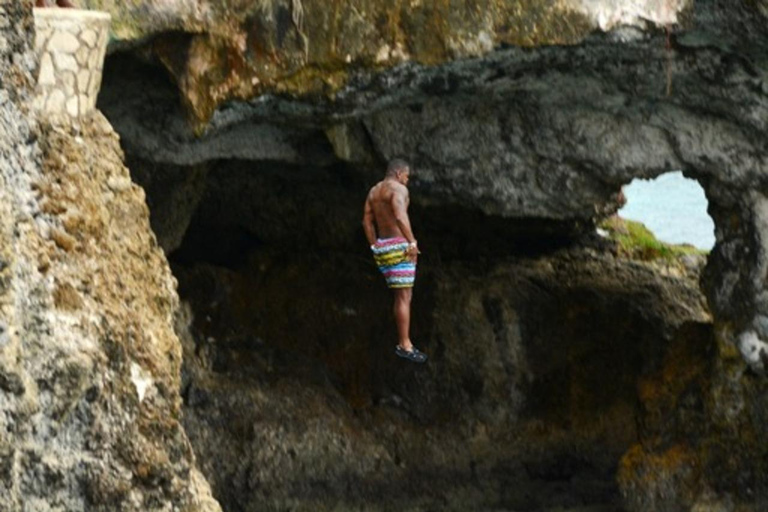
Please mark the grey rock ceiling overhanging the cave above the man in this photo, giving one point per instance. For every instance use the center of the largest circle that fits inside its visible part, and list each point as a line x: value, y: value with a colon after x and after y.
x: 547, y: 133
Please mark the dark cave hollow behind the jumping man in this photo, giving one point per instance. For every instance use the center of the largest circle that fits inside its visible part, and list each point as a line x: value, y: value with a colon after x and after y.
x: 546, y: 355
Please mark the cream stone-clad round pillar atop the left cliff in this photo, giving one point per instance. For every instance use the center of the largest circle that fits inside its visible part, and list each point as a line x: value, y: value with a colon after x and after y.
x: 71, y: 44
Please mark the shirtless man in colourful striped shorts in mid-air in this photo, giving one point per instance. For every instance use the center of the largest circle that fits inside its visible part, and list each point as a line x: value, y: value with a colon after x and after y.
x: 388, y: 229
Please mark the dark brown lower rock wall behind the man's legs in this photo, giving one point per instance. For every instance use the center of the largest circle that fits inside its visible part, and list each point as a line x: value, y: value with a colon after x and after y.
x: 295, y: 400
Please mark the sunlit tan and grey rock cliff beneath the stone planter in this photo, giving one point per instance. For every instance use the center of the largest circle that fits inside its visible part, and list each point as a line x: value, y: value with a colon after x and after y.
x: 89, y: 362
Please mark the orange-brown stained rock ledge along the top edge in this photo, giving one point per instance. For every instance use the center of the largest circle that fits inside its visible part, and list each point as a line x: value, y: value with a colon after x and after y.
x: 239, y: 50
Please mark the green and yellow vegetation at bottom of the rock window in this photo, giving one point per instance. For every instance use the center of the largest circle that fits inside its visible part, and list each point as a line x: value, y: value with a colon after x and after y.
x: 635, y: 241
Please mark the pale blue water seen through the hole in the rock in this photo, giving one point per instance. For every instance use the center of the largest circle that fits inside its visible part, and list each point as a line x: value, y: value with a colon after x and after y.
x: 673, y: 207
